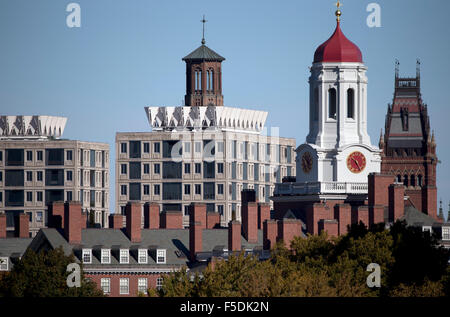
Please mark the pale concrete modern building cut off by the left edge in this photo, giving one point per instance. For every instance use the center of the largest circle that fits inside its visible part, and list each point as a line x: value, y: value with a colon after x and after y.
x: 37, y: 167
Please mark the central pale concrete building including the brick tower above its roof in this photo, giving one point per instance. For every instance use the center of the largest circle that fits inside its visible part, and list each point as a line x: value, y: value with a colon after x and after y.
x: 202, y: 151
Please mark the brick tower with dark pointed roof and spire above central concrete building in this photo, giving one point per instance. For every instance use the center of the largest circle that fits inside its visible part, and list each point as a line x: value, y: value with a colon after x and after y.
x: 203, y: 76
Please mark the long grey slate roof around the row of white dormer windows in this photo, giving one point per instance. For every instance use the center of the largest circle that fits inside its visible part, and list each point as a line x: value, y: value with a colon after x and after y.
x: 175, y: 241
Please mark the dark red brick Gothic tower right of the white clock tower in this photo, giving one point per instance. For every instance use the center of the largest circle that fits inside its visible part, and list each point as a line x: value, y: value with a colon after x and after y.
x: 409, y: 148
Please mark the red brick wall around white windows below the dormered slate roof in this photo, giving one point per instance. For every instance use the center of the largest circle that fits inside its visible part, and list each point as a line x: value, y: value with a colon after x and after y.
x: 132, y: 282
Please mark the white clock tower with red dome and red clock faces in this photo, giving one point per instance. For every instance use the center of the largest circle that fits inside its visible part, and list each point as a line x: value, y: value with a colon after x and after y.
x: 338, y: 151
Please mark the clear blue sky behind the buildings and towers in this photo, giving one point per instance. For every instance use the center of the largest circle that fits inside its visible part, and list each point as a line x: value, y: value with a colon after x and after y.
x: 127, y: 55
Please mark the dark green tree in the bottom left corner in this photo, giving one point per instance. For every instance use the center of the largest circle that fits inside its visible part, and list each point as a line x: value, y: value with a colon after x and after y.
x: 44, y: 274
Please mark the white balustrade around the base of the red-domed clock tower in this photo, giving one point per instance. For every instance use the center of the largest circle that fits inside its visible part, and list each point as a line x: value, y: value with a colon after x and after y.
x: 306, y: 188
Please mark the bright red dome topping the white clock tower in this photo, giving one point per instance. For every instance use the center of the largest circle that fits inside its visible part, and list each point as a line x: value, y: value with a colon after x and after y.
x: 338, y: 48
